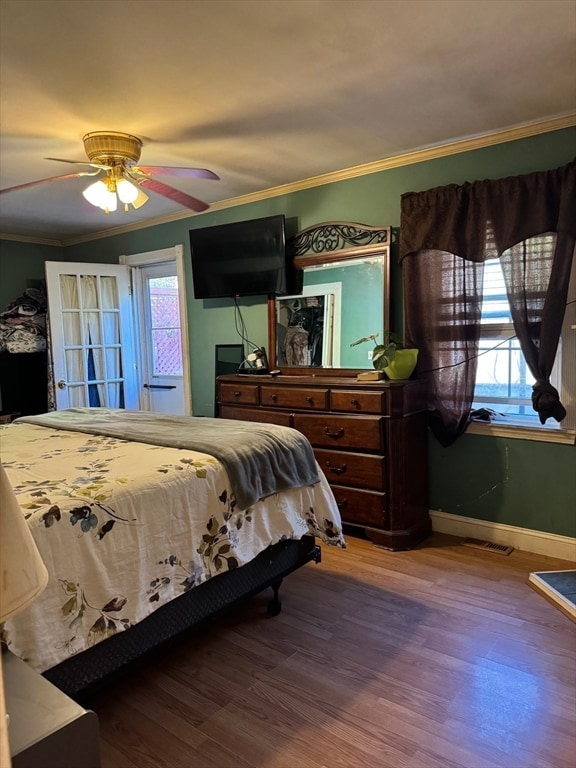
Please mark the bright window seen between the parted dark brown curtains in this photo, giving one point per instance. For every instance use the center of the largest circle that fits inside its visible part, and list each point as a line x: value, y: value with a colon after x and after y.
x: 503, y: 379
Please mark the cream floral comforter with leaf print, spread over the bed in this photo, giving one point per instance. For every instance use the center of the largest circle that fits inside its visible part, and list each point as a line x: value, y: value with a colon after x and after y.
x: 126, y: 527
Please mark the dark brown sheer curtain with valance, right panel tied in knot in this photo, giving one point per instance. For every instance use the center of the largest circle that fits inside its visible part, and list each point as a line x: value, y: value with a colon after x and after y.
x: 446, y: 234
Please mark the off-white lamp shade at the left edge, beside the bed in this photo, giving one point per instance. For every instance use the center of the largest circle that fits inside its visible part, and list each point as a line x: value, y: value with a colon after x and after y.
x: 23, y: 574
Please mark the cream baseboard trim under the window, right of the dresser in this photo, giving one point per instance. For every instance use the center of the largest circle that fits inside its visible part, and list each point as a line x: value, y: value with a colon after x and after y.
x: 539, y: 542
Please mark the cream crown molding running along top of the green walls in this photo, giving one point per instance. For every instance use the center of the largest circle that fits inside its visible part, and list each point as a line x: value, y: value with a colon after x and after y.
x: 432, y: 152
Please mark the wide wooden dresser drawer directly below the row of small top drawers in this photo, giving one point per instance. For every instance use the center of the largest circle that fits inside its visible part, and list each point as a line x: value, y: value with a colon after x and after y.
x: 364, y: 433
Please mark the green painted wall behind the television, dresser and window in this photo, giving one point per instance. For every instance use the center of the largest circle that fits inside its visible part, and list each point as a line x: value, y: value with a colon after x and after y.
x: 515, y: 482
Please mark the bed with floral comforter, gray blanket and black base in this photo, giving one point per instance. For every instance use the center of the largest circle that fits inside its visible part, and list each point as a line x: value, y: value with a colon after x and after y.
x: 149, y: 524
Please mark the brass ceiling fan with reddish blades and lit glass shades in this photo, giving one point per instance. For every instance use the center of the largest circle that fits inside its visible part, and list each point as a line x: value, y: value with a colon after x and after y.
x: 115, y: 155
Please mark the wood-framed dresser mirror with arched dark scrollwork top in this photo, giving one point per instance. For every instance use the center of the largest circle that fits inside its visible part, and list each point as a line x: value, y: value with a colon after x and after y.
x: 345, y: 297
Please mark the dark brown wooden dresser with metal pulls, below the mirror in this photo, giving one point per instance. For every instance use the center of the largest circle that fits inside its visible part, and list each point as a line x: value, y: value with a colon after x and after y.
x: 370, y: 439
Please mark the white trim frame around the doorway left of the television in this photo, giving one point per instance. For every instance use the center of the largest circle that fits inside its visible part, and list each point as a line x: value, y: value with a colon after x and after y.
x: 146, y: 259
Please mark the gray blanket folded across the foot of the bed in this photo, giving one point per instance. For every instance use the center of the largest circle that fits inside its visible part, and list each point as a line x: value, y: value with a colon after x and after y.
x: 260, y: 459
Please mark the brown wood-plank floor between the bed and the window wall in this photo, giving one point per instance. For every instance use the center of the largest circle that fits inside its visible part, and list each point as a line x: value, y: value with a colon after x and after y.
x: 441, y: 657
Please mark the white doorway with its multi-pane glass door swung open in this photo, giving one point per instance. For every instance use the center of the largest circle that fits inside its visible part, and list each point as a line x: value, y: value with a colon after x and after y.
x: 105, y: 352
